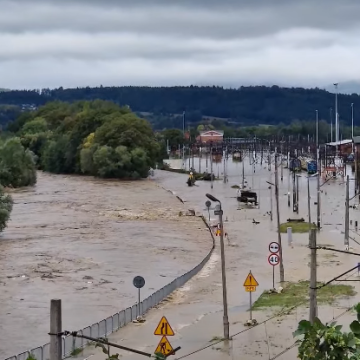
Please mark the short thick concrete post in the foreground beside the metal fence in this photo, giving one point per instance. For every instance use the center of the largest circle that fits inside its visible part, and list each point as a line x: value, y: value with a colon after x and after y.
x: 55, y: 329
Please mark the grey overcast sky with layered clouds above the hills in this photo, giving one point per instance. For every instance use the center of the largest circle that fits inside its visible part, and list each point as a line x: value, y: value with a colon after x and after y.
x: 69, y: 43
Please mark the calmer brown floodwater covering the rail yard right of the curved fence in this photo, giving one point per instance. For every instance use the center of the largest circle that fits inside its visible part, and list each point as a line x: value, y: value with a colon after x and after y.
x: 195, y: 311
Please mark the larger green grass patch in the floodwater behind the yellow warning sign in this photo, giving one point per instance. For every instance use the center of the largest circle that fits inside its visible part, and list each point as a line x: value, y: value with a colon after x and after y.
x: 295, y: 293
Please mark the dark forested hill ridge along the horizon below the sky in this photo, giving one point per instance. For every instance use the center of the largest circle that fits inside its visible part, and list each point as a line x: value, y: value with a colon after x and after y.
x: 246, y: 105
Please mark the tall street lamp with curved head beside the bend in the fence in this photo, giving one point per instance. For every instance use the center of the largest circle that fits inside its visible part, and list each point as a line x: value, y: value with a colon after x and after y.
x: 223, y: 273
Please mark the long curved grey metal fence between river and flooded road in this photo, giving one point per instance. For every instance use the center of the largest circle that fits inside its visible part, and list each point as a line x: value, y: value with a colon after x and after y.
x: 113, y: 323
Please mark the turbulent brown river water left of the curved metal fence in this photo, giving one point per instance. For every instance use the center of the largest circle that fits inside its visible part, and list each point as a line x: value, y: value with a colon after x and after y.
x: 83, y: 240
